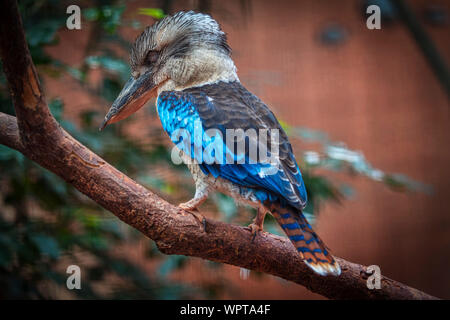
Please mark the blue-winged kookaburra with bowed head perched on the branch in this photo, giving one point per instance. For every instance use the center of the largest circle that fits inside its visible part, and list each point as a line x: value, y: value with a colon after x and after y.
x: 184, y: 60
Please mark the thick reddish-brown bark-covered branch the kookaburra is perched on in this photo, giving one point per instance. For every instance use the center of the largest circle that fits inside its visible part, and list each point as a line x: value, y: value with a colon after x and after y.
x: 38, y: 136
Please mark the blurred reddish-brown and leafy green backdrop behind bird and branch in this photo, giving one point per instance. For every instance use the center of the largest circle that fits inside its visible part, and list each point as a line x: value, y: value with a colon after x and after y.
x: 367, y: 112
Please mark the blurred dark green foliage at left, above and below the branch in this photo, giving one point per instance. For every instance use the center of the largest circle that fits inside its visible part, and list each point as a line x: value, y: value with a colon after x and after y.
x: 45, y: 224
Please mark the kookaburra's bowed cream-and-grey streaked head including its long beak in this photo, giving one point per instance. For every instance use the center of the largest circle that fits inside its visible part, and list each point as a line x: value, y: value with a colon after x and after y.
x: 183, y: 50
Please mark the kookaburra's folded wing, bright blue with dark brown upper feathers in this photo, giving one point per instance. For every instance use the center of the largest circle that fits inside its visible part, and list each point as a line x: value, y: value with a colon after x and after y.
x: 187, y: 115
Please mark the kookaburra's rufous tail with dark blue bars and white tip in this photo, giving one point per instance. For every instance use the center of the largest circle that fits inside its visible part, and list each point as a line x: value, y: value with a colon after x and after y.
x: 308, y: 244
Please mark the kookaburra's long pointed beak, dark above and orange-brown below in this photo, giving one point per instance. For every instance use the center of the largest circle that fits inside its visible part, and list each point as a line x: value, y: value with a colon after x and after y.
x: 133, y: 96
